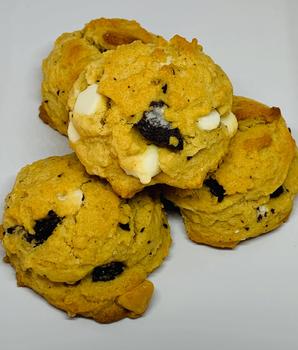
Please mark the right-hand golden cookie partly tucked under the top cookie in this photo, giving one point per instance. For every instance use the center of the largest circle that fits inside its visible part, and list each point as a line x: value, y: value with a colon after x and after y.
x: 253, y: 188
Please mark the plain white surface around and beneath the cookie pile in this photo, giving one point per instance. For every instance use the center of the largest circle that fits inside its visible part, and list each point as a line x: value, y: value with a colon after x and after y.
x: 205, y: 298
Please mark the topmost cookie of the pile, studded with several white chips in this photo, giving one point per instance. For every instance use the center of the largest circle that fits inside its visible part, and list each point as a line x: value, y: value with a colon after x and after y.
x: 152, y: 113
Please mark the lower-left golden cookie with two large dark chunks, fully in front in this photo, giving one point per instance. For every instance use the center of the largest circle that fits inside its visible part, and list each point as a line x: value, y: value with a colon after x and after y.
x: 79, y: 245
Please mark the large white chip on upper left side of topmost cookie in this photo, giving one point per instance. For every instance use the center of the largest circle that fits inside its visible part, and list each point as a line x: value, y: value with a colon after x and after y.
x: 88, y: 100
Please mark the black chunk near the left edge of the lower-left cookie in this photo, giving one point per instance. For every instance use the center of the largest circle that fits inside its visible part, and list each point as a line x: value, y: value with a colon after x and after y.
x: 43, y: 228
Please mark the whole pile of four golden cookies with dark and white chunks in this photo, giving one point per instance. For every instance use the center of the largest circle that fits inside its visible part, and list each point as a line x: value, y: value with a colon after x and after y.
x: 85, y: 230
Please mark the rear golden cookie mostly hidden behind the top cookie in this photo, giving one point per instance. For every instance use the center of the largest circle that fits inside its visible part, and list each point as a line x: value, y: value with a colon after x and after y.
x: 72, y: 52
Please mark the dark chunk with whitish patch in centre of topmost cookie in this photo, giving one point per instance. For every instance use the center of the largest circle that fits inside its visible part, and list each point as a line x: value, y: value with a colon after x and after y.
x: 154, y: 127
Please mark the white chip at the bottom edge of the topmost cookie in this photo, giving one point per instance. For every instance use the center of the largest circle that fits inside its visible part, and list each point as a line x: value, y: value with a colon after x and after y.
x: 146, y: 165
